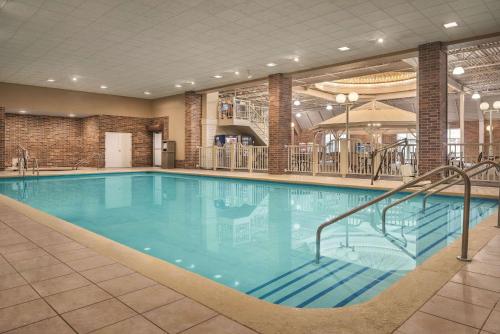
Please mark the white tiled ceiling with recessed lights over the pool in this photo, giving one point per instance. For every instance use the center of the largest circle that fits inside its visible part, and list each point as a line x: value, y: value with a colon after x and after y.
x: 137, y: 45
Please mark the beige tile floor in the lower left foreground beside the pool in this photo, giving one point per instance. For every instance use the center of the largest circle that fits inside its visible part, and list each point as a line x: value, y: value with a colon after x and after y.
x: 51, y: 284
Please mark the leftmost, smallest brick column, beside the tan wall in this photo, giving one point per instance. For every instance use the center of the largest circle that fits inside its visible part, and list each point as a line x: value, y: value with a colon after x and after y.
x: 192, y: 123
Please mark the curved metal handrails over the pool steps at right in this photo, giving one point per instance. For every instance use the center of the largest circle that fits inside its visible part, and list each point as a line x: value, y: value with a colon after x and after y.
x: 457, y: 173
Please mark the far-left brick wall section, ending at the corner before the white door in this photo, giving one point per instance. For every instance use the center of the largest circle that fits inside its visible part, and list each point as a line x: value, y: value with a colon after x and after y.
x: 54, y: 141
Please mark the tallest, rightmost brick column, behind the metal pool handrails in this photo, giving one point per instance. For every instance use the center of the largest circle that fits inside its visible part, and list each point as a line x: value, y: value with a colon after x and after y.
x: 432, y: 117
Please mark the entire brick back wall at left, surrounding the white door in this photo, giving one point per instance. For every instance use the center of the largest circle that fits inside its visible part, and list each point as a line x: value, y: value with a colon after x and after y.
x: 63, y: 141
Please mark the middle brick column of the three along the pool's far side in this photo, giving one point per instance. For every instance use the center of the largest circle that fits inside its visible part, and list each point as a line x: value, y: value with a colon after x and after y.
x: 280, y: 118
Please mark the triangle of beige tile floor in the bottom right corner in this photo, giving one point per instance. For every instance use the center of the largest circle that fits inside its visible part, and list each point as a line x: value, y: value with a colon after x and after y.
x: 468, y: 303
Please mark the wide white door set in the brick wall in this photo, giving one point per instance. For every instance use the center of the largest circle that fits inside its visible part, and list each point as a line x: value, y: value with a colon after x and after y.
x: 118, y: 149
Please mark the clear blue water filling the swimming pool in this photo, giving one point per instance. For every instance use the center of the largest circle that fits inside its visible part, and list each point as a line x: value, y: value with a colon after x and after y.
x: 256, y: 237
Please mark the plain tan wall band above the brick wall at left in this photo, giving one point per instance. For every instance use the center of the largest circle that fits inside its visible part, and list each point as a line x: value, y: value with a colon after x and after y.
x: 60, y: 102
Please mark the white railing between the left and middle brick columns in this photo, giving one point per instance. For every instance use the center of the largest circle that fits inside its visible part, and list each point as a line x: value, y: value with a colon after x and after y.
x: 234, y: 157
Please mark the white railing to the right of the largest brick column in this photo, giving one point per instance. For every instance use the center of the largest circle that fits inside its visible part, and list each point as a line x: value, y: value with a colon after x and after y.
x: 466, y: 155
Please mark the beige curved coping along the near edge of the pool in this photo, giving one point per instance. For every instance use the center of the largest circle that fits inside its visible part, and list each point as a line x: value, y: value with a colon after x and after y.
x: 382, y: 314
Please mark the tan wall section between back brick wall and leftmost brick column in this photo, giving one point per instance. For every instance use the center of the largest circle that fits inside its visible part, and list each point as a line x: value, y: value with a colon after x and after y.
x: 174, y: 108
